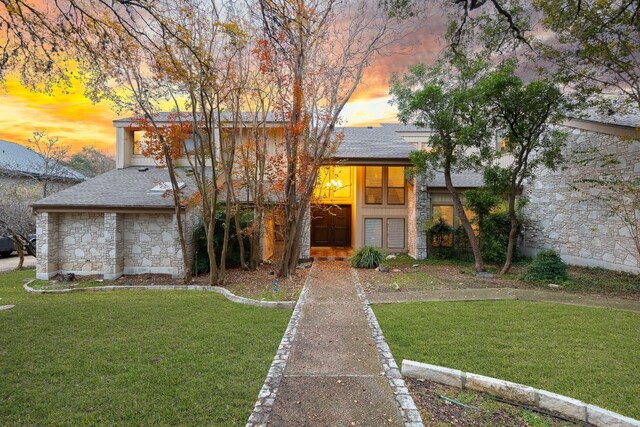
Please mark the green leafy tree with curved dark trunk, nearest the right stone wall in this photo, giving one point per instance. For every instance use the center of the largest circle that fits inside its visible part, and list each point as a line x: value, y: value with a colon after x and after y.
x: 528, y: 114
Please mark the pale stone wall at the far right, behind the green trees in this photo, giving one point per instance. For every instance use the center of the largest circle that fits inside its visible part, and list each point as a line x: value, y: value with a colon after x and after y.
x: 579, y: 227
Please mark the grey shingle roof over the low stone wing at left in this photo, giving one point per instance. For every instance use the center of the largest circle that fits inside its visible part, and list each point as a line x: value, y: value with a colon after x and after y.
x: 119, y: 188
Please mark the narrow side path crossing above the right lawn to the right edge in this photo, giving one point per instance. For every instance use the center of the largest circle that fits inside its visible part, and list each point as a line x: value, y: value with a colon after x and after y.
x: 504, y: 294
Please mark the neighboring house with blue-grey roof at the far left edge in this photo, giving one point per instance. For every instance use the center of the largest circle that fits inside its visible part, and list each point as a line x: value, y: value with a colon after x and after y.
x: 20, y: 165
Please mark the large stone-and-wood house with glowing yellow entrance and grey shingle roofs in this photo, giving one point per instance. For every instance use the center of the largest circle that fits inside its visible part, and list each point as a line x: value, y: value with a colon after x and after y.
x: 122, y: 223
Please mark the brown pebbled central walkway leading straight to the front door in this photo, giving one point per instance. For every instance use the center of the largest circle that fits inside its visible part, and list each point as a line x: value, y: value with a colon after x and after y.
x: 333, y: 375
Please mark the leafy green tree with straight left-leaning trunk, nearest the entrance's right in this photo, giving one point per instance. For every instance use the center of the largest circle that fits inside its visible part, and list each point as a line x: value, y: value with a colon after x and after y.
x: 445, y: 99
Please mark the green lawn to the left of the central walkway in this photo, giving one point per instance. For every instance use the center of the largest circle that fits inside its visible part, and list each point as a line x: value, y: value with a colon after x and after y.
x: 131, y: 357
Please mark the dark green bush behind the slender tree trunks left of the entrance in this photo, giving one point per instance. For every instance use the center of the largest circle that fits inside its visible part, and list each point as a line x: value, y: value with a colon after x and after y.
x: 201, y: 255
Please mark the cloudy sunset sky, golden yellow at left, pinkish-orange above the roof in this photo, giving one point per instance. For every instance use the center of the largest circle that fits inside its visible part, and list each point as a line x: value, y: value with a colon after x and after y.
x: 77, y: 122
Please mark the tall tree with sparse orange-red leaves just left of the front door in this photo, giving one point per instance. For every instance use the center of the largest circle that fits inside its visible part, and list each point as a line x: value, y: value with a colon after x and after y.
x: 314, y: 53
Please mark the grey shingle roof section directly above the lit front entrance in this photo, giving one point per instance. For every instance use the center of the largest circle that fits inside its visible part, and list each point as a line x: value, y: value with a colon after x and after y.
x: 381, y: 144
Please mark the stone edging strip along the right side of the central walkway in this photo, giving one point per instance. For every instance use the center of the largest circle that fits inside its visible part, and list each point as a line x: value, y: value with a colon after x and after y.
x: 407, y: 407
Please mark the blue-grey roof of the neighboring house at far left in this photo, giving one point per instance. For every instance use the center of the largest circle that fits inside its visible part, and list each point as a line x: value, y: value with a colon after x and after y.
x: 18, y: 159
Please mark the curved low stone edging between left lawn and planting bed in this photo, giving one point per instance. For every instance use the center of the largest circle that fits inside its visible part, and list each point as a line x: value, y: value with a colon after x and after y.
x: 227, y: 294
